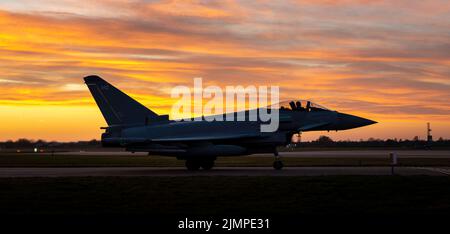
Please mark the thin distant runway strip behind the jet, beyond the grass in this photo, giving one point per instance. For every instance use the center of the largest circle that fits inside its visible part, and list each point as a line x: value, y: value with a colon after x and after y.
x: 318, y: 154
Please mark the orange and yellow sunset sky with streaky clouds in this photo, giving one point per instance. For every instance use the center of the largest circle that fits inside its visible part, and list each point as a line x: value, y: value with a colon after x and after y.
x: 384, y: 60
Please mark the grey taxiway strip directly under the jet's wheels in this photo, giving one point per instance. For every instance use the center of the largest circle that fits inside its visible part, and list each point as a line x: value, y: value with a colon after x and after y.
x: 219, y: 171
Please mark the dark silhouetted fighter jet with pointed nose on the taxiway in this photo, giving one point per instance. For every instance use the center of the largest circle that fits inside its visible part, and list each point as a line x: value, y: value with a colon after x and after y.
x: 138, y: 129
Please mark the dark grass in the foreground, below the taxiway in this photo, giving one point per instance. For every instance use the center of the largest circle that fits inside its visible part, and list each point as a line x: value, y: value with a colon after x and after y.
x: 372, y: 195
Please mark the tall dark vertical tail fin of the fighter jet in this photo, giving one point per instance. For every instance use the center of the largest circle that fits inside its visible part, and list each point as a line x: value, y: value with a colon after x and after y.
x: 117, y: 107
